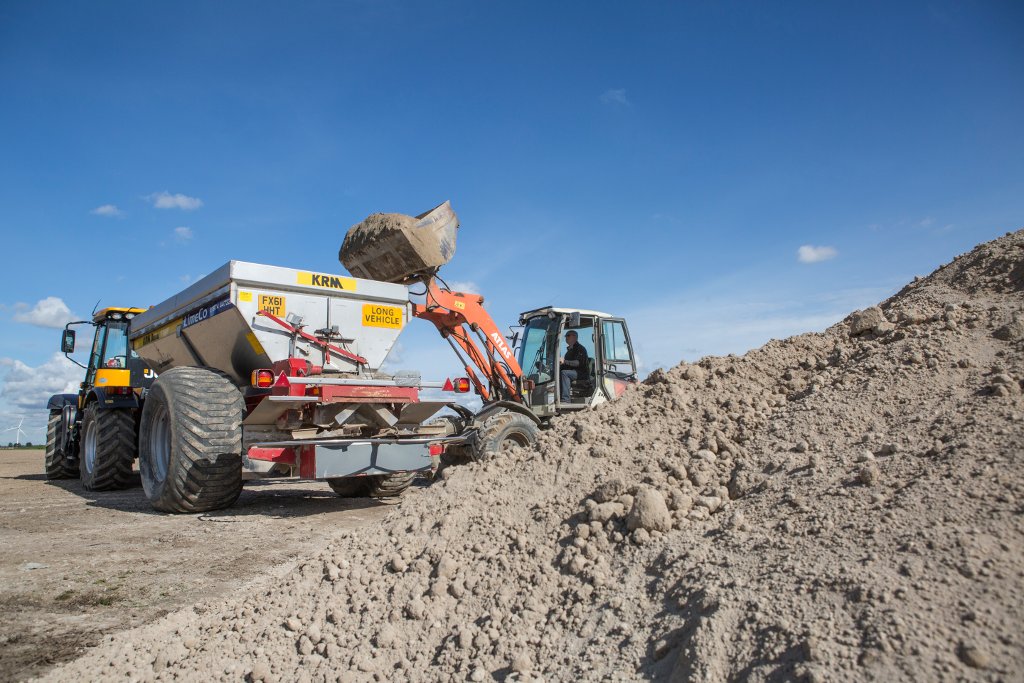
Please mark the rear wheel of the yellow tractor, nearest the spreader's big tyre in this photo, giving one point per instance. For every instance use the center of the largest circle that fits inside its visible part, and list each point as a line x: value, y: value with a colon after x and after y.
x: 108, y: 449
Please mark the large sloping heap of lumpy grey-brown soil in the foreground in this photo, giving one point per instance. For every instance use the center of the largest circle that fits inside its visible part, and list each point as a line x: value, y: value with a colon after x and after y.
x: 836, y: 506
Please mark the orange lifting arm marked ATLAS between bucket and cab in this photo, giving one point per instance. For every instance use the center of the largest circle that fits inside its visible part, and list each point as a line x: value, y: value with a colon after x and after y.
x: 460, y: 318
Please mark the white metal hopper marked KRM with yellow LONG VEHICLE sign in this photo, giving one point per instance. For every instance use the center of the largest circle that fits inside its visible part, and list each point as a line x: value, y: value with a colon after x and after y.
x: 215, y: 323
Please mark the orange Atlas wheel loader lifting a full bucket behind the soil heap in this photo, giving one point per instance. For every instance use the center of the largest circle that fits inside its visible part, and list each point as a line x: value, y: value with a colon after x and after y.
x: 519, y: 381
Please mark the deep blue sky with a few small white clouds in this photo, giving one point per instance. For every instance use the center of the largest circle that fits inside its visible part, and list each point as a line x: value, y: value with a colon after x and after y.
x: 662, y: 161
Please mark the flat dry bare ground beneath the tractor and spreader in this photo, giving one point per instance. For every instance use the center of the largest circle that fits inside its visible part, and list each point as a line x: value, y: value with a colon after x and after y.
x: 111, y: 563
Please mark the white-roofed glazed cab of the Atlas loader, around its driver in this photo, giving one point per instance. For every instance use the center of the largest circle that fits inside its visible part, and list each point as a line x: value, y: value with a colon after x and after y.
x: 612, y: 363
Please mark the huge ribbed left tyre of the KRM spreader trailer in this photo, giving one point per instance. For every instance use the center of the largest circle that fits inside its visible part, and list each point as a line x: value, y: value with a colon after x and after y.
x: 191, y: 442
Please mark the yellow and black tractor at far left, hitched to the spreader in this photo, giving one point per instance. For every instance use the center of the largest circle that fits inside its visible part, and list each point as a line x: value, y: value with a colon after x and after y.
x: 109, y: 402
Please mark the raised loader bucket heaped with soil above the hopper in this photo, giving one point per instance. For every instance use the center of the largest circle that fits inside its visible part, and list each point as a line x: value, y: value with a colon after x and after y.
x: 397, y: 248
